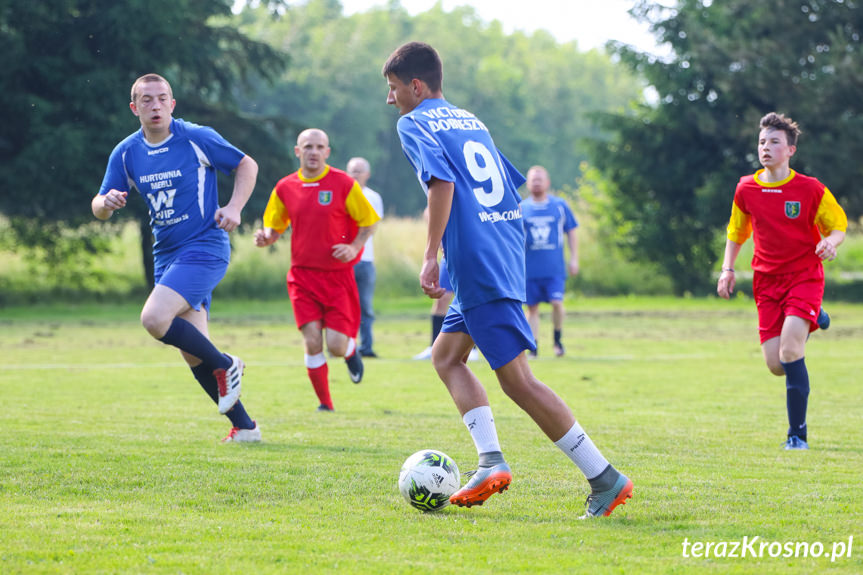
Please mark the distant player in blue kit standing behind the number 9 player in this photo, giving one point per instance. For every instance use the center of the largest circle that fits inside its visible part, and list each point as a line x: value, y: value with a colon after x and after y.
x: 547, y: 219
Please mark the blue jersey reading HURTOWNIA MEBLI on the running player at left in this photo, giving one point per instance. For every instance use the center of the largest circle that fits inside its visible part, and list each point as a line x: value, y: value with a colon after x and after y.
x: 177, y: 179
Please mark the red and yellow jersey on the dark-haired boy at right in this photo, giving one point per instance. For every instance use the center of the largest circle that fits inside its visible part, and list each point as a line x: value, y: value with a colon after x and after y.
x: 787, y: 218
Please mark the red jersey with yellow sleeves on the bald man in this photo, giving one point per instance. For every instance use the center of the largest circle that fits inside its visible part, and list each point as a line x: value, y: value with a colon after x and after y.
x: 322, y: 212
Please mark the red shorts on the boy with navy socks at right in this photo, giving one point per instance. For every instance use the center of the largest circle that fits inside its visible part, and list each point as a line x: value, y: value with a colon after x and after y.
x: 780, y: 295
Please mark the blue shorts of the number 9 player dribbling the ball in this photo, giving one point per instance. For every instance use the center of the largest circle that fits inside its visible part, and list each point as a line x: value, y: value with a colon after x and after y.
x: 498, y: 328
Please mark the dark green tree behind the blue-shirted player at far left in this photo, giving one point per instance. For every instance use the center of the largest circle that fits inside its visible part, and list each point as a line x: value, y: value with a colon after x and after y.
x: 64, y: 98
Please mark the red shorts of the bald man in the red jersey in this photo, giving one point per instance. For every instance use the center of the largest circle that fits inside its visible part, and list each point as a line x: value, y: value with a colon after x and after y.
x: 328, y: 296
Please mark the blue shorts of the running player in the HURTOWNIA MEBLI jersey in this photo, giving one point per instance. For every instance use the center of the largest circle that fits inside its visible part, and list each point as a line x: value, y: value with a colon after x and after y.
x: 193, y: 275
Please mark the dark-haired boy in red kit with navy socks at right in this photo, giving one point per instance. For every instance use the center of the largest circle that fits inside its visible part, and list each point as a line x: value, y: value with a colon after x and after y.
x: 788, y: 214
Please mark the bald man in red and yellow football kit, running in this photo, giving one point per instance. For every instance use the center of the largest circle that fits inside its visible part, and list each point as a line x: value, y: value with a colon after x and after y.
x: 331, y: 220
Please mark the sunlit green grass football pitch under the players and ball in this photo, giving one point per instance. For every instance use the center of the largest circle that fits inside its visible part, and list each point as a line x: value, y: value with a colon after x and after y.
x: 111, y: 461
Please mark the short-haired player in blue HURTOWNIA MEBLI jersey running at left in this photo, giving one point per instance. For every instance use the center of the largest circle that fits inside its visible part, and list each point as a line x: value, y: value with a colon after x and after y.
x: 172, y: 164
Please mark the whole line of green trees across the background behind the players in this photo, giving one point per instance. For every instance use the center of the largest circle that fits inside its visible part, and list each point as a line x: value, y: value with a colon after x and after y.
x: 668, y: 163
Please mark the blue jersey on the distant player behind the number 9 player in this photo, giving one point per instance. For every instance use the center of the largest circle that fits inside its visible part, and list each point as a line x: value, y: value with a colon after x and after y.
x: 547, y: 224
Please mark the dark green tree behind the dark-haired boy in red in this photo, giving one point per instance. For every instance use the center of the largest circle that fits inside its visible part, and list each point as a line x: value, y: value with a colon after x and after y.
x: 674, y: 163
